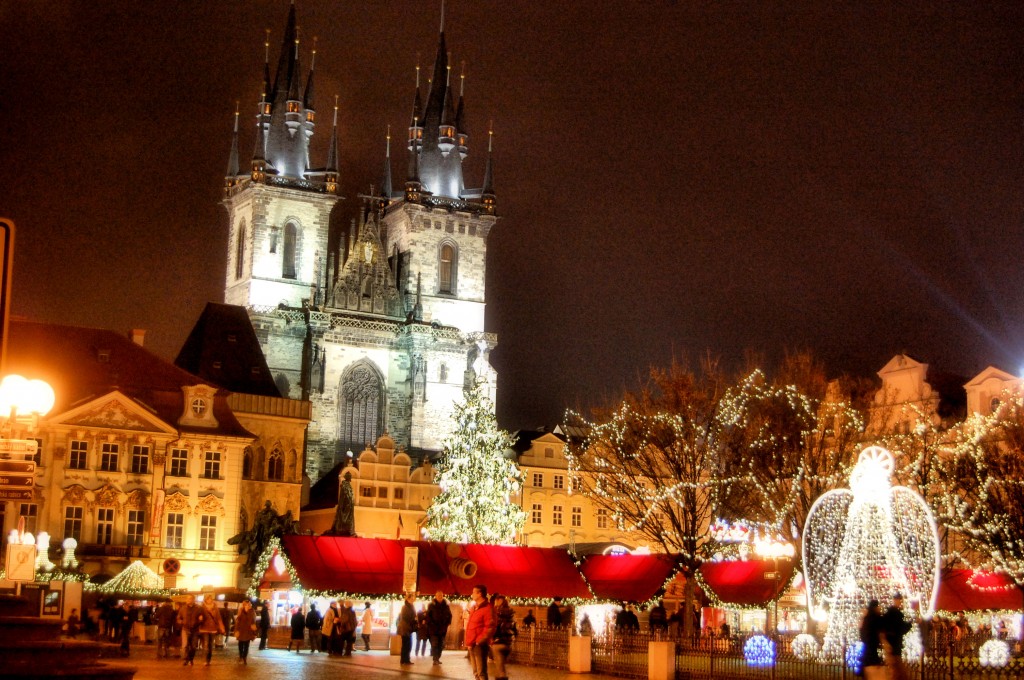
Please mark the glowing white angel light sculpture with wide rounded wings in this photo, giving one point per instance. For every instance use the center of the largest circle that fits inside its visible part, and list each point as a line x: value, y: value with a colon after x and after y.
x: 869, y: 542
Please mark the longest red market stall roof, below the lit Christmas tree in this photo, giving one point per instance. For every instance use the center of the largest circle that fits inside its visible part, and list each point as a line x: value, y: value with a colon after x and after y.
x: 374, y: 567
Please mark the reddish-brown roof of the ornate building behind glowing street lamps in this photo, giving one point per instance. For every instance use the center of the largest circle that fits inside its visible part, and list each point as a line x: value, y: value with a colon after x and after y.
x: 82, y: 364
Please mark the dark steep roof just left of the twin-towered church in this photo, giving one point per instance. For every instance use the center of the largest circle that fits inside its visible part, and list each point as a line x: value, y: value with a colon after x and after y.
x: 223, y: 350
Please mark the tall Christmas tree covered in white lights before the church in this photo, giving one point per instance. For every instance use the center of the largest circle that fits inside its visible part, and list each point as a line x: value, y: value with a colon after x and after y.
x: 478, y: 480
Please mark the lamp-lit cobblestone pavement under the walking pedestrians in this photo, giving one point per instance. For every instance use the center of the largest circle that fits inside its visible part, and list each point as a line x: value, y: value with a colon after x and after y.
x: 275, y: 664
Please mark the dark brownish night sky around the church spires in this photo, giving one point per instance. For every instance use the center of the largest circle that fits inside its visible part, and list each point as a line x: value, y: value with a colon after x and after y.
x: 672, y: 178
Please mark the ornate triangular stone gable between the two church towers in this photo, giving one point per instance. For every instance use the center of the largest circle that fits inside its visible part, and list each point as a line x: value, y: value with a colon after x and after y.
x: 365, y: 283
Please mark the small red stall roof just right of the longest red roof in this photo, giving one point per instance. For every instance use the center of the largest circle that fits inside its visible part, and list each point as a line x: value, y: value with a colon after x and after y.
x: 628, y: 578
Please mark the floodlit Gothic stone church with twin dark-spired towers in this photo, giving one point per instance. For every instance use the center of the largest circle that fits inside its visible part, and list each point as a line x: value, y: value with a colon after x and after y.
x: 382, y: 332
